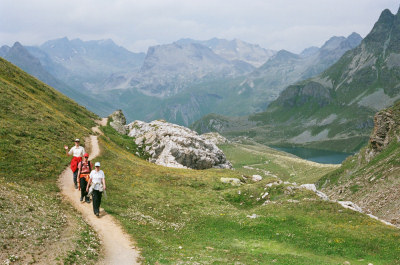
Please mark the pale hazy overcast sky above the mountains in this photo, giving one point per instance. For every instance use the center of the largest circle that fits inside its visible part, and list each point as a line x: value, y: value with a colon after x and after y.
x: 274, y: 24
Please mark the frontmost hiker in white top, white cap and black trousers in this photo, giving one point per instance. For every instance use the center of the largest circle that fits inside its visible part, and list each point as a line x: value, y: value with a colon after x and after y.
x: 97, y: 185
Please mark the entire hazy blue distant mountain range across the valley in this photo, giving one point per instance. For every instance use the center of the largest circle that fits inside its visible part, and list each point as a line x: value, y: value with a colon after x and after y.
x: 179, y: 82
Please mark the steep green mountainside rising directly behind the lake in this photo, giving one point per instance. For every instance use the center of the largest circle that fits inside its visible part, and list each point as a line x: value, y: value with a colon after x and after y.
x: 333, y: 110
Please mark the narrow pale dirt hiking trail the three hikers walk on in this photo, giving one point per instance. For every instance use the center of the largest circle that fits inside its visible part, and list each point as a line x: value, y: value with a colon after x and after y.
x: 118, y: 246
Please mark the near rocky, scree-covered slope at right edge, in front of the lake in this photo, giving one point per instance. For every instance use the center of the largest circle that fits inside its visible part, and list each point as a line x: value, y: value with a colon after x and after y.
x: 371, y: 177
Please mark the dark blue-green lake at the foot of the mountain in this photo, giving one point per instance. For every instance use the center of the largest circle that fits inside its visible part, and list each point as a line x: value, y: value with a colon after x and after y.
x: 315, y: 155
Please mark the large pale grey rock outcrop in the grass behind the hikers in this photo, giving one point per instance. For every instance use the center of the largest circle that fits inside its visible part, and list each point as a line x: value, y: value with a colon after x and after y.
x: 172, y: 145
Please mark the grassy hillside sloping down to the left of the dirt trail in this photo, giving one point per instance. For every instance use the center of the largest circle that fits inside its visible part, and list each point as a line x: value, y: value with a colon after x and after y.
x: 35, y: 123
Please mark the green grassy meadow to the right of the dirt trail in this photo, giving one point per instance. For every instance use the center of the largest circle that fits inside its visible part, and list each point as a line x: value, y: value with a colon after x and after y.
x: 180, y: 216
